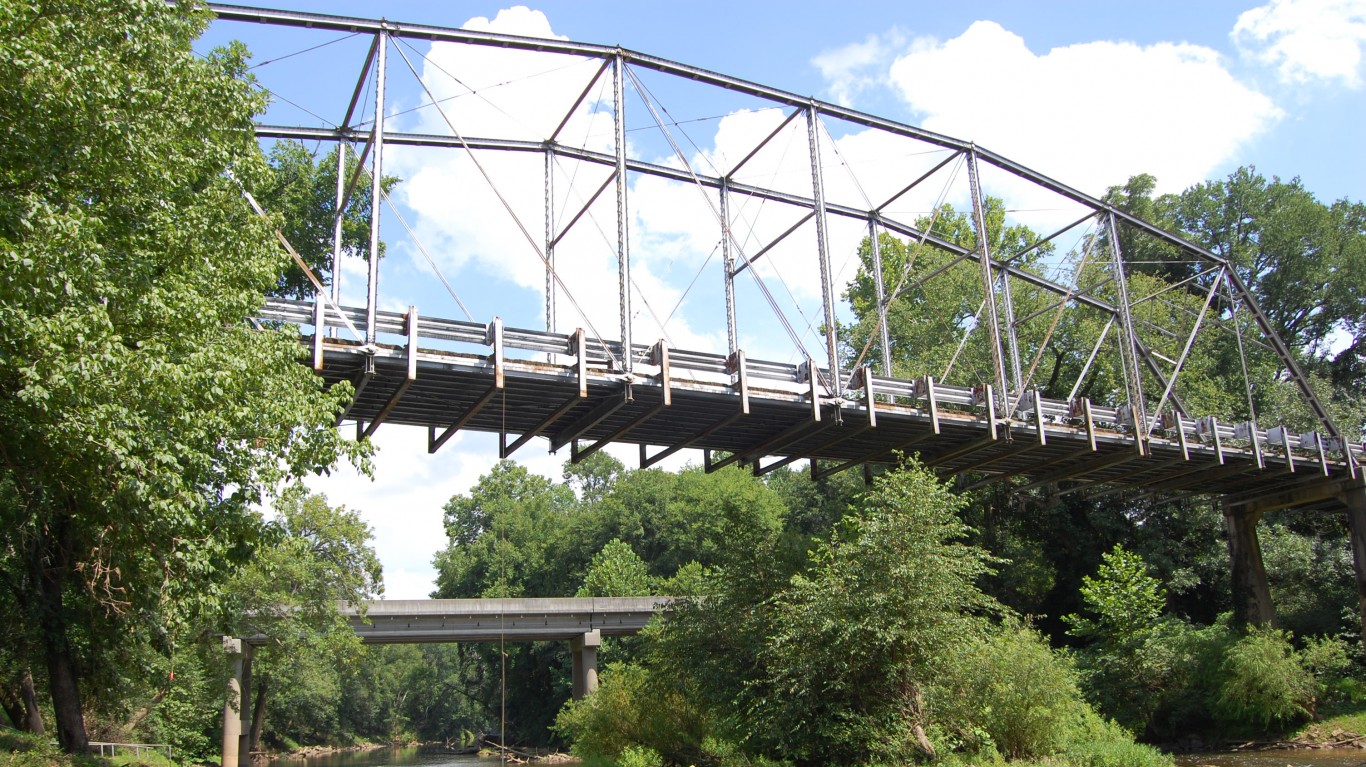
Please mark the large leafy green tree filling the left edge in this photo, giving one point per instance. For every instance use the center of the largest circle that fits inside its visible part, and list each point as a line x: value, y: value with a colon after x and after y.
x: 144, y: 418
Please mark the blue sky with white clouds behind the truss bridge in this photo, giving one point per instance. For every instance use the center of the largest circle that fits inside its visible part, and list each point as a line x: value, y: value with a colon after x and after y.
x: 1083, y: 92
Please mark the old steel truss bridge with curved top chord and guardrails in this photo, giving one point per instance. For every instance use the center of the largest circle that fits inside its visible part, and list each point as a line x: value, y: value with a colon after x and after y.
x: 585, y: 390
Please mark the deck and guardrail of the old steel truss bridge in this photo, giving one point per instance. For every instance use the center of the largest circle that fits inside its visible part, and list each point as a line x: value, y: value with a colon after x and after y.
x: 447, y: 375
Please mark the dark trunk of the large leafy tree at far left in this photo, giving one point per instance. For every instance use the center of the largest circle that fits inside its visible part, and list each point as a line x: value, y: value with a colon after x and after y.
x: 62, y: 668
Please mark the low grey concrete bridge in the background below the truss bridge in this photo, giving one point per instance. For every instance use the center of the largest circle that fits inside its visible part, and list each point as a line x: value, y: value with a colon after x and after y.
x: 581, y: 621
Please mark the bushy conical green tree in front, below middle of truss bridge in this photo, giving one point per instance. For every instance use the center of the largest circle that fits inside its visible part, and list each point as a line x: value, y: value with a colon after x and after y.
x: 857, y: 643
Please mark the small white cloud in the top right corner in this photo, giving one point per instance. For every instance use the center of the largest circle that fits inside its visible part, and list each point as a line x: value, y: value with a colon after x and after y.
x: 1307, y: 40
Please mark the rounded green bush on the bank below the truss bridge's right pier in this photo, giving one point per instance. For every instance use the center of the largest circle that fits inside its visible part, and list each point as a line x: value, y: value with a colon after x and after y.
x: 1263, y: 683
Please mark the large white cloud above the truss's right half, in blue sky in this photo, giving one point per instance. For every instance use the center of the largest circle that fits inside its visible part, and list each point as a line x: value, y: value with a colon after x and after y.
x: 1089, y: 116
